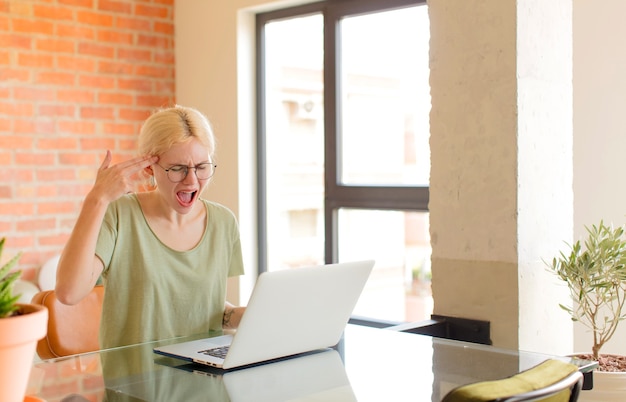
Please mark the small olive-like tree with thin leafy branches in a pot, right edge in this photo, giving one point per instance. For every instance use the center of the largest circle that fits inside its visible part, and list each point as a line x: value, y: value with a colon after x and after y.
x: 595, y: 274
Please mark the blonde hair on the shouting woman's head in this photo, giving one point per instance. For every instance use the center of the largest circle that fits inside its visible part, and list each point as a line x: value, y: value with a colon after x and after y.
x: 174, y: 125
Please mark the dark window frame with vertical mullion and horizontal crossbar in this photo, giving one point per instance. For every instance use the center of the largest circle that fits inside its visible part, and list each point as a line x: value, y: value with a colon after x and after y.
x: 337, y: 195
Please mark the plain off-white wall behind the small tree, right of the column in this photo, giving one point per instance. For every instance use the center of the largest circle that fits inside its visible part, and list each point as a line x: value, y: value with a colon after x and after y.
x: 599, y: 127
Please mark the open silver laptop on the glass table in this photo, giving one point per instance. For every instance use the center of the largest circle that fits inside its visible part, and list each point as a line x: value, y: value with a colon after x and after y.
x: 290, y: 312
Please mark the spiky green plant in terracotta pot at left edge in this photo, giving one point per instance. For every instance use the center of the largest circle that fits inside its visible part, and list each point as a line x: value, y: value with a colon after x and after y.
x: 21, y: 326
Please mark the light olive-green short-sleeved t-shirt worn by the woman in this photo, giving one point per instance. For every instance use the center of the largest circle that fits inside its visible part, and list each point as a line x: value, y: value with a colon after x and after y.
x: 154, y: 292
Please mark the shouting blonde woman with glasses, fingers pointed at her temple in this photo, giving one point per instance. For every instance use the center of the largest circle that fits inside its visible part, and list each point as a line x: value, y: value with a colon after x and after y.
x: 164, y: 255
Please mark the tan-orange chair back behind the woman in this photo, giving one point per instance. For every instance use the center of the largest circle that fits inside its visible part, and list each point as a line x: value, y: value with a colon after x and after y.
x: 71, y: 329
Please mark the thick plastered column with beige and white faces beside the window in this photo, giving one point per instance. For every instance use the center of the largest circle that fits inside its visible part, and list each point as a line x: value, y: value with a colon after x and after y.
x: 501, y: 175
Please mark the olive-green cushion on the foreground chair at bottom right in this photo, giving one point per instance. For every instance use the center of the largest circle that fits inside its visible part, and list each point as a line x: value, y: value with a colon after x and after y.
x: 540, y: 376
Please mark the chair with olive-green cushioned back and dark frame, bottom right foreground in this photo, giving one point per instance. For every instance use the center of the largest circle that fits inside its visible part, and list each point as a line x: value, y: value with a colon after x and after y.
x: 550, y: 381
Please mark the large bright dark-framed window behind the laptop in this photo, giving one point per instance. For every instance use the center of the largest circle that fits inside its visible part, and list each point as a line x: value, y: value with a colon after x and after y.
x: 344, y: 159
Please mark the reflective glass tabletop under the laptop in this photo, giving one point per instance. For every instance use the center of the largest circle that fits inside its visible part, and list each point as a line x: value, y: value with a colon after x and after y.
x: 368, y: 364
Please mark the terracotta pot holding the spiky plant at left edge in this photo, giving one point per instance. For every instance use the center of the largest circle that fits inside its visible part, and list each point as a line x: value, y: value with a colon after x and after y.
x: 18, y: 341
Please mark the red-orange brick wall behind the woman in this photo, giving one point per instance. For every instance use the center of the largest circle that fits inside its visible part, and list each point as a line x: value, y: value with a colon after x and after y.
x: 77, y: 77
